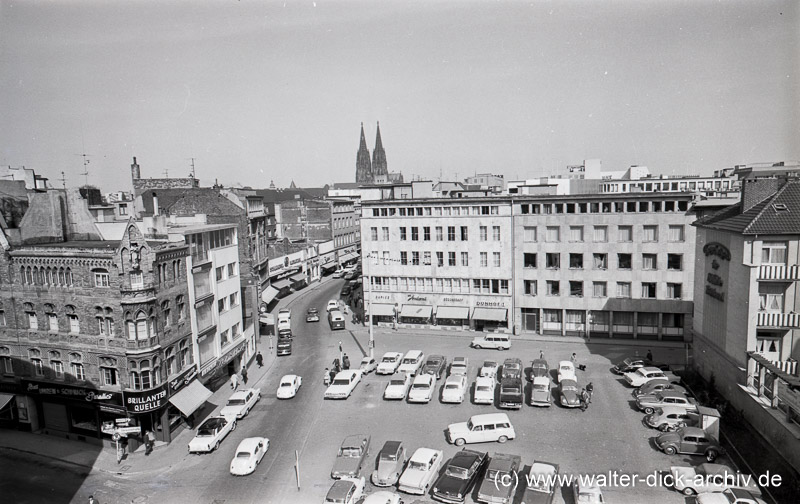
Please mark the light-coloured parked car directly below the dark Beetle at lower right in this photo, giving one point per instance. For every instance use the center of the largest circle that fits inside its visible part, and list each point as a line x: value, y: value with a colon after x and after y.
x: 711, y: 478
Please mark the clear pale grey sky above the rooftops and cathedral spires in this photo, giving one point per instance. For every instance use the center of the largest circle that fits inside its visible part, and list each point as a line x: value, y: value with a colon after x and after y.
x: 261, y: 91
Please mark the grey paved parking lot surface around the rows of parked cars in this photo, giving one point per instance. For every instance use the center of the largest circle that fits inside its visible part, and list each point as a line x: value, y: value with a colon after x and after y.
x: 607, y: 439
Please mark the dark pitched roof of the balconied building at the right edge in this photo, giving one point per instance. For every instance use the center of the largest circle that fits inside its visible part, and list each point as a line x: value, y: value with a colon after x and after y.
x: 778, y: 214
